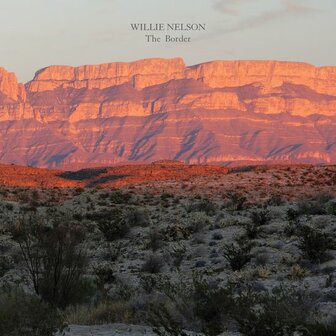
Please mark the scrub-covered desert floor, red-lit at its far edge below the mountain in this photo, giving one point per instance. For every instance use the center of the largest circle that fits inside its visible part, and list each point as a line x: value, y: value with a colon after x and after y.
x: 168, y: 249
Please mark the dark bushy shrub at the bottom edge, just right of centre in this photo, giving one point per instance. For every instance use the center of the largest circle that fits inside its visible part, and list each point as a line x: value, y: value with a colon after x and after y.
x: 191, y: 305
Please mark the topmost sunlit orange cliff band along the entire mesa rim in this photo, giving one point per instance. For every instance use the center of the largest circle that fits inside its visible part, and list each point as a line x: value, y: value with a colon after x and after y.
x: 216, y: 74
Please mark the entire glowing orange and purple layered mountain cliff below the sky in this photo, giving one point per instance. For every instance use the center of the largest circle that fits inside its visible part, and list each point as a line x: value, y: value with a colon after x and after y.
x: 154, y: 109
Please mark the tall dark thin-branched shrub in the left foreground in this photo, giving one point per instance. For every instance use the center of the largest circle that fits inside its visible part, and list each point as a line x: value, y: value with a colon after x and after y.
x: 54, y: 257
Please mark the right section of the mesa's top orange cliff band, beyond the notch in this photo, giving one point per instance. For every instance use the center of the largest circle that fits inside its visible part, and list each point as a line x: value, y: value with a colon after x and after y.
x: 269, y: 73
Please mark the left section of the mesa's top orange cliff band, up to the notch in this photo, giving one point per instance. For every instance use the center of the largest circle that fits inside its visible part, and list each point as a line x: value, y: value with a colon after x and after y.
x: 139, y: 74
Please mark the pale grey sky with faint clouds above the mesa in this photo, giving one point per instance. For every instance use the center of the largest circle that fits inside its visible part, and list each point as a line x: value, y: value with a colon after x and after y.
x: 38, y: 33
